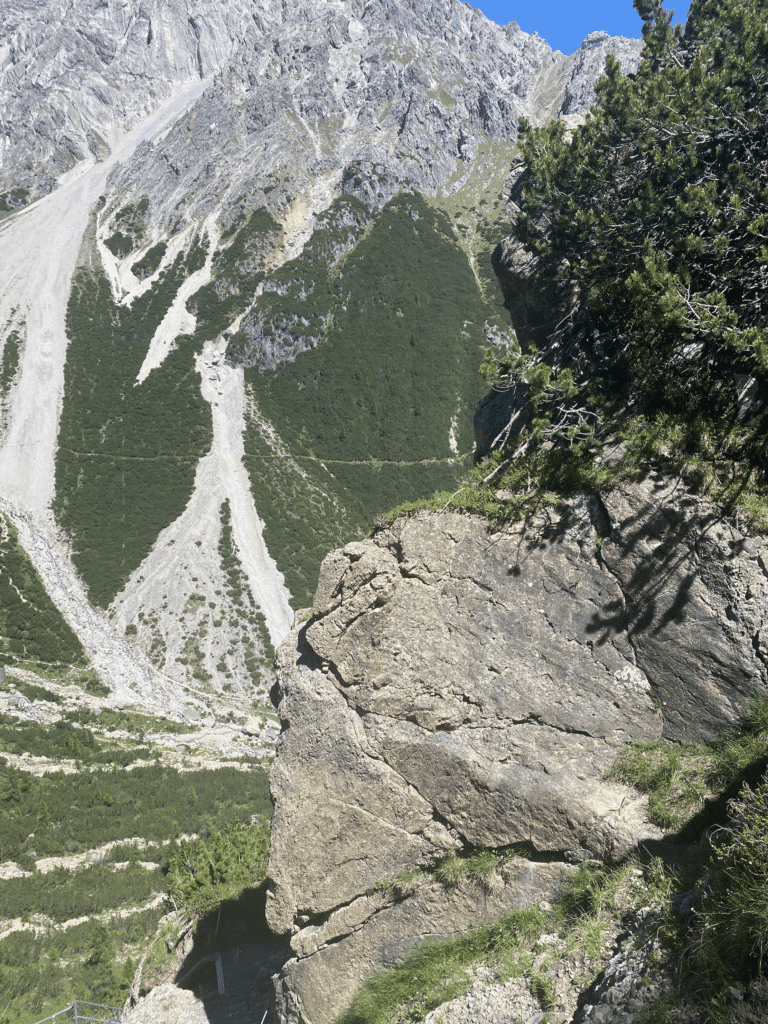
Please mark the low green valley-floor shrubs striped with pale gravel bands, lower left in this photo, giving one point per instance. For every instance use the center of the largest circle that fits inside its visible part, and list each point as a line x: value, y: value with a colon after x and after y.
x: 42, y: 968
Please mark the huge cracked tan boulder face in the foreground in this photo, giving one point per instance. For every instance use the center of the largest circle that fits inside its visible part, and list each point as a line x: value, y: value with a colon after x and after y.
x: 457, y: 690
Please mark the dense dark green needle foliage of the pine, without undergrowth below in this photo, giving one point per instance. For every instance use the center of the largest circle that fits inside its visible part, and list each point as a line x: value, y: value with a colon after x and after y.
x: 657, y: 210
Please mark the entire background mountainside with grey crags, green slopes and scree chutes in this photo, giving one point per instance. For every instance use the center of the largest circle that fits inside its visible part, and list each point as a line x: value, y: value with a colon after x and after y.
x: 243, y: 228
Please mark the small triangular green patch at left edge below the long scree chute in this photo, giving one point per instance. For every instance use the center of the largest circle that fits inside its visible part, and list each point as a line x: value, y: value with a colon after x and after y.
x: 31, y: 627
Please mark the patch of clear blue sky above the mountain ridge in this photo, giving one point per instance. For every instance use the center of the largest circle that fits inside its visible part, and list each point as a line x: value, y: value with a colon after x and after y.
x: 565, y: 23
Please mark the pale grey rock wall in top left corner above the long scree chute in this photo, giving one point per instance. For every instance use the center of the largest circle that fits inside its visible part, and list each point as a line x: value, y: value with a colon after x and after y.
x: 72, y: 74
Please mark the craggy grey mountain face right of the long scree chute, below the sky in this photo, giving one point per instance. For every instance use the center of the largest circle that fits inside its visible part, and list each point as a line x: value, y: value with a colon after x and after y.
x: 375, y: 98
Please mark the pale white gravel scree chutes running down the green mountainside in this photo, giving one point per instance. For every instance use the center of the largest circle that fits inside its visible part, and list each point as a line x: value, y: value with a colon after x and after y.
x: 39, y: 248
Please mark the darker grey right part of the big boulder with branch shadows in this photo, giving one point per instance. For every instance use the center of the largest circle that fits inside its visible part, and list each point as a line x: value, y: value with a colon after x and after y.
x: 695, y: 591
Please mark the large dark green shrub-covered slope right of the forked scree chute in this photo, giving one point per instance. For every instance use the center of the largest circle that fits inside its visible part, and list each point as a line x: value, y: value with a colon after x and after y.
x: 366, y: 417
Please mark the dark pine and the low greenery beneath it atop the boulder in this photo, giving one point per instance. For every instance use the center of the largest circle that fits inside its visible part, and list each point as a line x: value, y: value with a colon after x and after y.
x: 657, y: 212
